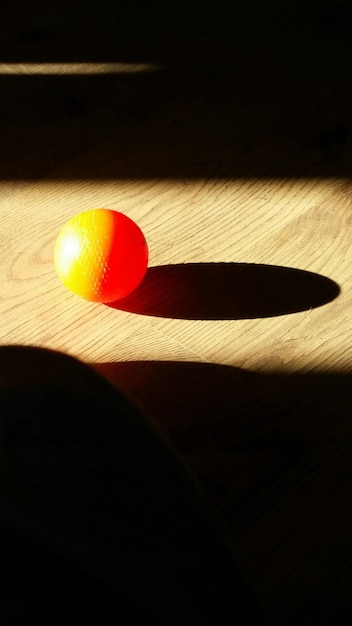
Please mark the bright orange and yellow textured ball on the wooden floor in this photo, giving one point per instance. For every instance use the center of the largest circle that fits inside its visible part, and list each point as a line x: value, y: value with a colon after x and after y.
x: 101, y: 255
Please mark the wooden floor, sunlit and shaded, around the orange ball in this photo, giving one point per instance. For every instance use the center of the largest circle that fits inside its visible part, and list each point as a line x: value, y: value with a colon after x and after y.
x: 224, y: 131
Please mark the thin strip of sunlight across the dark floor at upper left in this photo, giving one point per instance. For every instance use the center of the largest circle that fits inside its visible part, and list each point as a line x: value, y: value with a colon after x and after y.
x: 53, y: 69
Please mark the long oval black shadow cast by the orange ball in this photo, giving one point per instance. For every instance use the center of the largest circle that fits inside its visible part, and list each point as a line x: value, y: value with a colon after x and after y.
x: 224, y: 291
